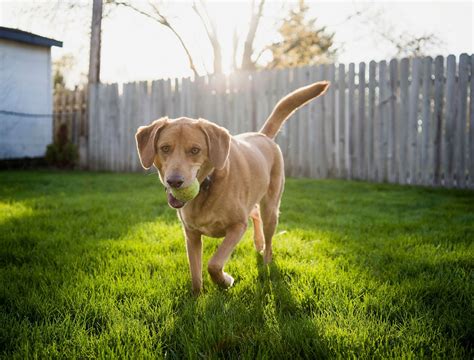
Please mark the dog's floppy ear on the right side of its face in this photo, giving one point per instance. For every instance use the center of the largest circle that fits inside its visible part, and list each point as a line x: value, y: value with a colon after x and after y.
x: 218, y: 143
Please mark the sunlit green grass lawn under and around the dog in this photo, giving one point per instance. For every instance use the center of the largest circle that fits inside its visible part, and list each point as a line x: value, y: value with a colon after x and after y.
x: 94, y: 265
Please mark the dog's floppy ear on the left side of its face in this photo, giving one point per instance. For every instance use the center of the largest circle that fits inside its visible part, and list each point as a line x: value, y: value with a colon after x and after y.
x: 146, y: 138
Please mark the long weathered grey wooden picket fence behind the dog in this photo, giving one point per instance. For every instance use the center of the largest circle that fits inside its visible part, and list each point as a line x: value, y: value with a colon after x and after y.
x: 408, y: 121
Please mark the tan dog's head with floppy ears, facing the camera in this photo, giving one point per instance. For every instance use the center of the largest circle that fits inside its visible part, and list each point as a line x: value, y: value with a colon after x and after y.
x: 182, y: 150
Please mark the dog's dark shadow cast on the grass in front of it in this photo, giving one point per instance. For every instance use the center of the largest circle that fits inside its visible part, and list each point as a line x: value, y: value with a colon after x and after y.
x: 261, y: 320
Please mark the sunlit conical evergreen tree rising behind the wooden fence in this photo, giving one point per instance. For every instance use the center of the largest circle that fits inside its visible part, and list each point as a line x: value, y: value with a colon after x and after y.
x: 302, y: 42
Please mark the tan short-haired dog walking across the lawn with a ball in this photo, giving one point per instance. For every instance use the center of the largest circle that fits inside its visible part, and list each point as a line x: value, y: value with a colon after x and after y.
x: 241, y: 176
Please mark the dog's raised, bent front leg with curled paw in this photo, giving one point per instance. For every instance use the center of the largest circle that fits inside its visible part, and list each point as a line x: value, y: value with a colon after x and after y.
x: 217, y: 262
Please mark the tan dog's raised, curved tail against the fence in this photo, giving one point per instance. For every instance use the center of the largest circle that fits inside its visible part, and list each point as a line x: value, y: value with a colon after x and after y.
x: 289, y: 104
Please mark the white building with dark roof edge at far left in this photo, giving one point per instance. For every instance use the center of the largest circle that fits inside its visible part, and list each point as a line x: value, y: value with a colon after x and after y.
x: 26, y: 94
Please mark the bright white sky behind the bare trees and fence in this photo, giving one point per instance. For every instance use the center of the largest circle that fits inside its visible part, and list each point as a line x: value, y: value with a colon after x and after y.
x: 137, y: 48
